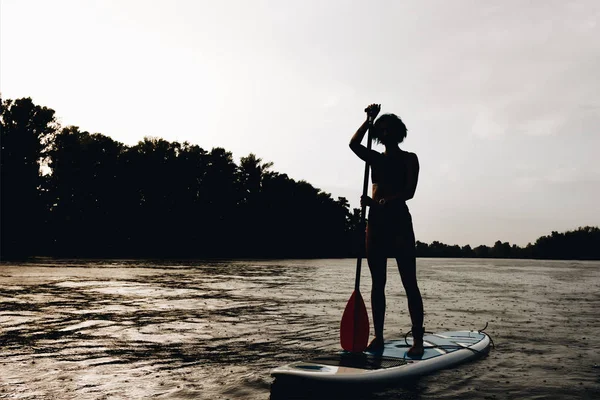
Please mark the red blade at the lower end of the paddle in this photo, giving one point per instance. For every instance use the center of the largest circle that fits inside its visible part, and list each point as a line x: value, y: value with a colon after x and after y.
x: 354, y: 329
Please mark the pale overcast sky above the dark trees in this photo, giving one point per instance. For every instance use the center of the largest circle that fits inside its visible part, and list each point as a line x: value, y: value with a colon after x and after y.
x: 501, y: 98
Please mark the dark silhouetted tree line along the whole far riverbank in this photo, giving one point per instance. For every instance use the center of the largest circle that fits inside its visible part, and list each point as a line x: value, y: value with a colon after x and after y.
x: 71, y: 193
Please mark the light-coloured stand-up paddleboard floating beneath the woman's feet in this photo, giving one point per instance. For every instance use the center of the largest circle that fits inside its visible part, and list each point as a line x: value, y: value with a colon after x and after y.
x: 442, y: 350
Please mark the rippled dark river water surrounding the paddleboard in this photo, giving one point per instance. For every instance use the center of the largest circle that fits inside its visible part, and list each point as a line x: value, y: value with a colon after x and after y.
x: 106, y: 329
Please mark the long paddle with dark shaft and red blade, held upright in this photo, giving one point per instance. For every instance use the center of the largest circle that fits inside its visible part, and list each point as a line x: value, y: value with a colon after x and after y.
x: 354, y: 328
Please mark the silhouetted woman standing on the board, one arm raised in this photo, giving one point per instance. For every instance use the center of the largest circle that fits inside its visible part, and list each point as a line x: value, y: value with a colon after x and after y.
x: 389, y: 230
